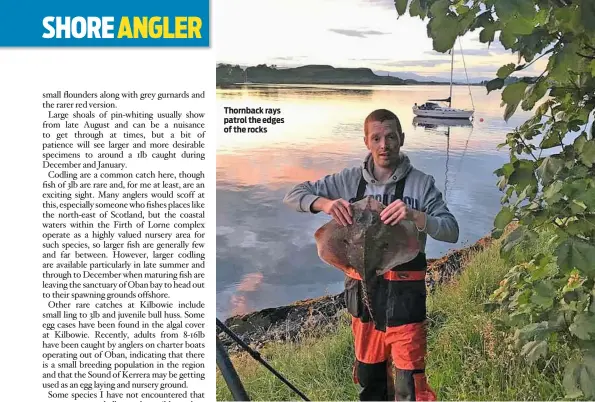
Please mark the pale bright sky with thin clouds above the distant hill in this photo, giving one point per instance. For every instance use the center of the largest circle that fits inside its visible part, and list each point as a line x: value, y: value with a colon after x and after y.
x: 345, y: 33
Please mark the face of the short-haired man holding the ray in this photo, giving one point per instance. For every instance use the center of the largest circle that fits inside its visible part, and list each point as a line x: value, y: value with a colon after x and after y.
x: 384, y: 142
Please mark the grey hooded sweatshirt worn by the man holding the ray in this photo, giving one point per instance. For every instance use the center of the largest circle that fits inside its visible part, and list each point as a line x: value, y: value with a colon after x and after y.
x: 420, y: 193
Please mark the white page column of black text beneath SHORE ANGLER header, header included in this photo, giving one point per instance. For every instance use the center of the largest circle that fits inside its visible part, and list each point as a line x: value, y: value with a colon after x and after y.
x: 108, y: 170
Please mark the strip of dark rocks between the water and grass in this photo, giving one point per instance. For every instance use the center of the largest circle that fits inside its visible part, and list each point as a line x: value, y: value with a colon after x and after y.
x: 315, y: 317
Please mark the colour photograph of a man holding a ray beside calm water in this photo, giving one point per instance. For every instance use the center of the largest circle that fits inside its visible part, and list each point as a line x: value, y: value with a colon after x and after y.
x: 405, y: 199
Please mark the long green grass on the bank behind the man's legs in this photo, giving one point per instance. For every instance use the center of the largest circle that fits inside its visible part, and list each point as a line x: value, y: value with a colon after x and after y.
x: 468, y: 357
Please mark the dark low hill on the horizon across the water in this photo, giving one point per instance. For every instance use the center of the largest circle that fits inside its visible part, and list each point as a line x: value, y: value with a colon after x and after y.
x: 310, y: 74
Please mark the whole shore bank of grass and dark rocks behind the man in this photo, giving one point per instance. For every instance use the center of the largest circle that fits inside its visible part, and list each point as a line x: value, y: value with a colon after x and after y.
x: 470, y: 357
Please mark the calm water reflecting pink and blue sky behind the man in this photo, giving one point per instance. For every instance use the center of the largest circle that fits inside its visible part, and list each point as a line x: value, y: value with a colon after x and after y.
x: 266, y: 255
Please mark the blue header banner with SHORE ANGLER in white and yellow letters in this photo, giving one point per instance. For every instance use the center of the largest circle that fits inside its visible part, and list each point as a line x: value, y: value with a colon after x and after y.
x: 111, y: 23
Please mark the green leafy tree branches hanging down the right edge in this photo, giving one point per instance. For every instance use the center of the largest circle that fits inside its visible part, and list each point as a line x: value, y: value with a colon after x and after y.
x: 549, y: 295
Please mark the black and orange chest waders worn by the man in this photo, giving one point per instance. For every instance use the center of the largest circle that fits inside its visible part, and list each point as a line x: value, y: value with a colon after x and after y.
x: 399, y: 332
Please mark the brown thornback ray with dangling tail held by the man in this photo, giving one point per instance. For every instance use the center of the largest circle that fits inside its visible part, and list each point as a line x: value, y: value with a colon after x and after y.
x: 367, y: 247
